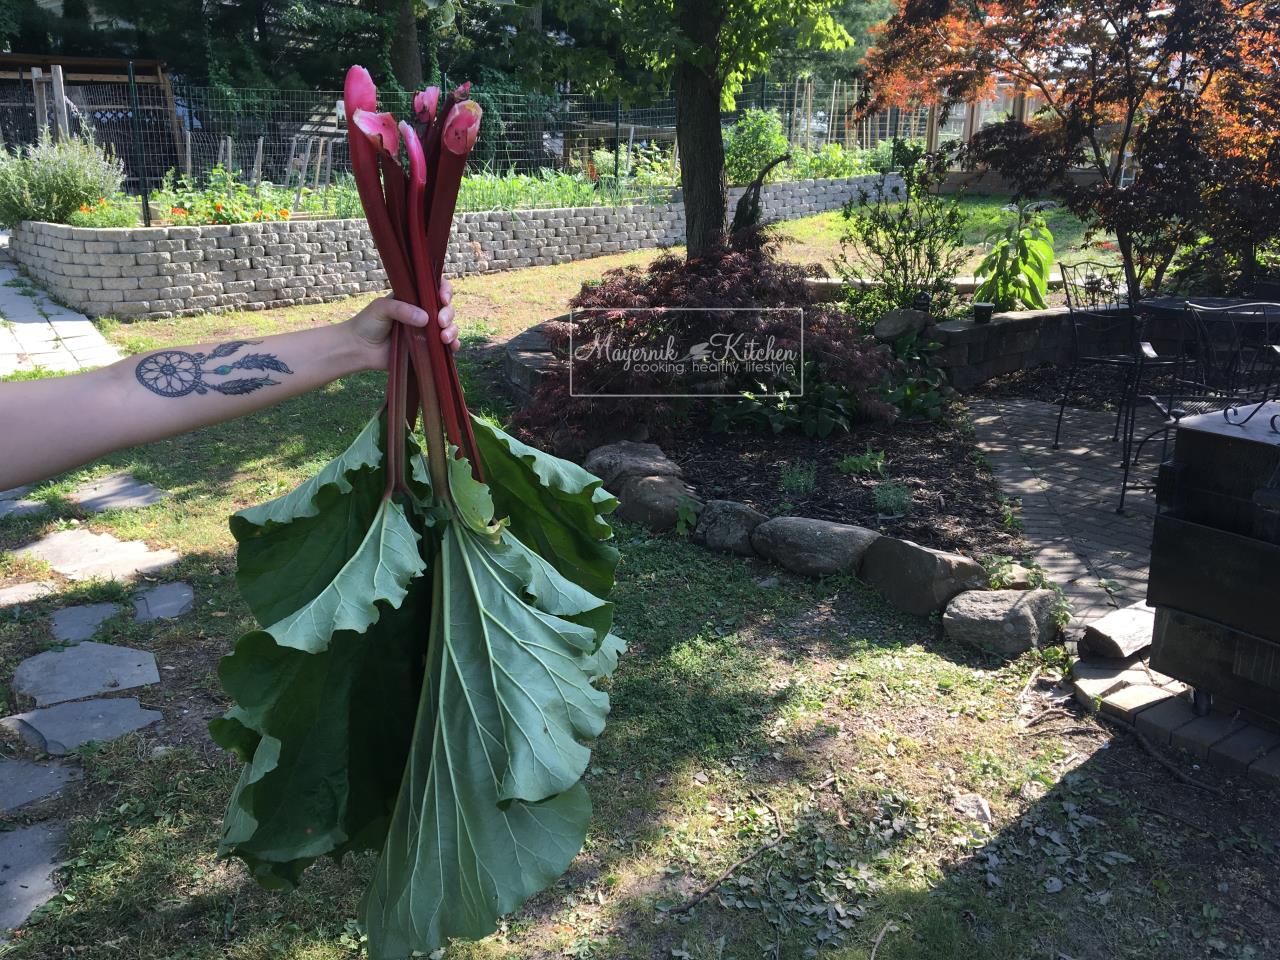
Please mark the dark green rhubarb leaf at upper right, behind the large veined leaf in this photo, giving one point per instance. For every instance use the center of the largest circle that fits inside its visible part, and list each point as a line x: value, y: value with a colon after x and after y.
x: 554, y: 506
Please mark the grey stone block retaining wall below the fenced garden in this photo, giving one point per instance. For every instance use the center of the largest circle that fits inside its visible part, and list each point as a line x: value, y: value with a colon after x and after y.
x: 163, y: 272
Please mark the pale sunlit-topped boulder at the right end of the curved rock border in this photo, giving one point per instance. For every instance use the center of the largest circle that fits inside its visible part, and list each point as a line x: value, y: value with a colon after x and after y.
x: 1008, y: 623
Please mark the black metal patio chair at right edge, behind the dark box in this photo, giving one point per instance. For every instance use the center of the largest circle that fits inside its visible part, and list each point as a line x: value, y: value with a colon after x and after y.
x: 1229, y: 364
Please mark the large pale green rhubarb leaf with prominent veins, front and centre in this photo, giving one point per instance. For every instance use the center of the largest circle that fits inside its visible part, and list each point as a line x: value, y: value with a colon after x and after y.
x: 491, y: 810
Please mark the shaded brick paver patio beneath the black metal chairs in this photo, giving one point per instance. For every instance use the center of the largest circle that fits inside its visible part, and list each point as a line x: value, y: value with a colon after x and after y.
x: 1069, y: 501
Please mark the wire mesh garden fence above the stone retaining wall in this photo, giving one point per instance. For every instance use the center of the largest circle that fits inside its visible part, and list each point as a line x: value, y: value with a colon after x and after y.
x: 164, y: 131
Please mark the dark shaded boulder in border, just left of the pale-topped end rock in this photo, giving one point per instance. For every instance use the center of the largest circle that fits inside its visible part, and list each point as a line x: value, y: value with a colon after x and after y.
x: 920, y: 579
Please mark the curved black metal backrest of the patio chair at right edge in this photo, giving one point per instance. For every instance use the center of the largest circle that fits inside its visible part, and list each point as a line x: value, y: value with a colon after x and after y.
x: 1235, y: 348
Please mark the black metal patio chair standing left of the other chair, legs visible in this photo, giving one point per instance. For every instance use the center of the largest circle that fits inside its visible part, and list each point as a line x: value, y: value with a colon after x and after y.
x: 1099, y: 303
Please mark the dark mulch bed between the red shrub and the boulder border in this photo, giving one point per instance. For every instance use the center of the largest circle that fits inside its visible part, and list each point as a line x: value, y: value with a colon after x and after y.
x: 956, y: 504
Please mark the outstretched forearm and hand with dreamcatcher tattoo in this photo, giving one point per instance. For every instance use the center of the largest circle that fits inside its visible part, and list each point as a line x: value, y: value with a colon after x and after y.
x: 56, y: 424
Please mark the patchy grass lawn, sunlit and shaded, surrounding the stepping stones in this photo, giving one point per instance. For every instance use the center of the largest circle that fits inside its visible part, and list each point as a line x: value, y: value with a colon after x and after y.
x: 744, y: 706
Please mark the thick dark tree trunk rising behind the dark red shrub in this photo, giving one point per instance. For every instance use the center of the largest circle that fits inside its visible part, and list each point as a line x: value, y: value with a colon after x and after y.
x: 702, y: 149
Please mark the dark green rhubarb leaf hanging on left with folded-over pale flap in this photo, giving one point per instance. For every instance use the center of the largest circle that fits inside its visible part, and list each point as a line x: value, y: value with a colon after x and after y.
x: 326, y: 696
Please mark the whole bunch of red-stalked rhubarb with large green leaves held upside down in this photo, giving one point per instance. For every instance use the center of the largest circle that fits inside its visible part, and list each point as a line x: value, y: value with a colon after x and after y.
x: 433, y: 625
